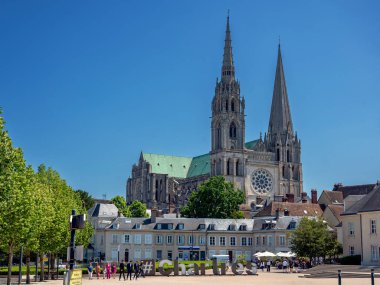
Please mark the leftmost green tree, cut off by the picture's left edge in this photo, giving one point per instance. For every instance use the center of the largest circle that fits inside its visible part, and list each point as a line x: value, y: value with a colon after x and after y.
x: 17, y: 202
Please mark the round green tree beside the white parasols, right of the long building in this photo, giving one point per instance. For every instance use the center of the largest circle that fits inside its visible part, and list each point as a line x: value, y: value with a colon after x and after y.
x: 311, y: 238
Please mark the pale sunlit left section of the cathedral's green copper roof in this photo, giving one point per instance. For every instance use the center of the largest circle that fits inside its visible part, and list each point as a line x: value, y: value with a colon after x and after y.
x: 174, y: 166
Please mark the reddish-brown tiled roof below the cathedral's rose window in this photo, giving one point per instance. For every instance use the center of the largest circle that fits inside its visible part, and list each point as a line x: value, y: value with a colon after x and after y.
x: 295, y: 209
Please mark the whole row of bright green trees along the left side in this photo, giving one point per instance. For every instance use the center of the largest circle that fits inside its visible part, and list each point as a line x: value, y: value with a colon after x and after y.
x: 34, y: 207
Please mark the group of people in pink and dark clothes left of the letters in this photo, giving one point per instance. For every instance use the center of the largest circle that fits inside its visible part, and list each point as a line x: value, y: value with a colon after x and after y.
x: 108, y: 270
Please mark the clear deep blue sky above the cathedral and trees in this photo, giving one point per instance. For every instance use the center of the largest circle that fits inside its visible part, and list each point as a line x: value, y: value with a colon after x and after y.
x: 86, y: 85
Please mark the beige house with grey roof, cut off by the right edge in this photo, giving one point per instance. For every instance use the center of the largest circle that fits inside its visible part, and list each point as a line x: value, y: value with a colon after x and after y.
x: 359, y: 228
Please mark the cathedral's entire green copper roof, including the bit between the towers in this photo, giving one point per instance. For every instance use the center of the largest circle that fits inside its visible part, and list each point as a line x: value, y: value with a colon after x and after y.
x: 181, y: 166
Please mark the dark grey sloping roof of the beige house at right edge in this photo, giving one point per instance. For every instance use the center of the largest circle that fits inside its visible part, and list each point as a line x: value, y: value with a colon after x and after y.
x: 369, y: 203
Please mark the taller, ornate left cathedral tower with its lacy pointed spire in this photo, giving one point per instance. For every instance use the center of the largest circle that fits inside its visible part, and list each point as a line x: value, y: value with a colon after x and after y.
x: 228, y: 122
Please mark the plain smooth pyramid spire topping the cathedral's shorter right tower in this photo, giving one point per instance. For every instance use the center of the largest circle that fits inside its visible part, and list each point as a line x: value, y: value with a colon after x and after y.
x: 280, y: 118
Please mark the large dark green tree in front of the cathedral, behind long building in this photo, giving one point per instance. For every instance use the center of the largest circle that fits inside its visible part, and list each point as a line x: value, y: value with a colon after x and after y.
x: 215, y: 198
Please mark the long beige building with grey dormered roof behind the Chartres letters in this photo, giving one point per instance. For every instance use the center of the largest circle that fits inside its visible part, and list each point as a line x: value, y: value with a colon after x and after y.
x: 189, y: 238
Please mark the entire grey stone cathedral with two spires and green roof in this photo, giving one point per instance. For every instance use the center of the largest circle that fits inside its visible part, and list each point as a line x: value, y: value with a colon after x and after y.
x: 266, y: 169
